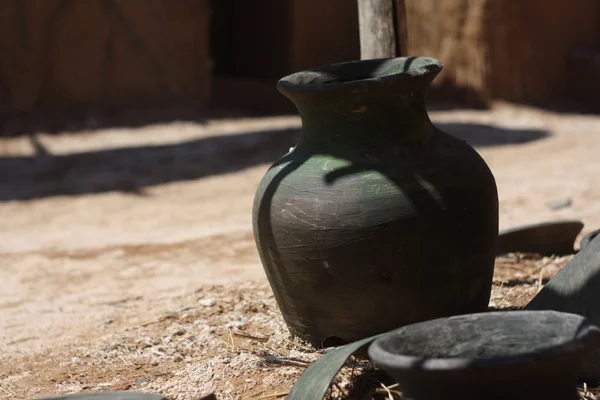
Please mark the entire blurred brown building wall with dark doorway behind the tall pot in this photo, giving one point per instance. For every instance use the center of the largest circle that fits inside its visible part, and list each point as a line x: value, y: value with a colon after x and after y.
x: 107, y: 57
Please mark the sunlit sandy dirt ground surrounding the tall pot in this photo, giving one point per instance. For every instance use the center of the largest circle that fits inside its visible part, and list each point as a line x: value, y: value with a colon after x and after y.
x: 128, y: 260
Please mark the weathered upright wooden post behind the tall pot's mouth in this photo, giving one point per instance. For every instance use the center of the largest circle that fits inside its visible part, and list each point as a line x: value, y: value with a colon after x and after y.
x: 382, y: 27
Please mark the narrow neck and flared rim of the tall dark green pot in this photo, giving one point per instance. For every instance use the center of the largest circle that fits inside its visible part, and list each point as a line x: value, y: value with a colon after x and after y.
x: 387, y: 106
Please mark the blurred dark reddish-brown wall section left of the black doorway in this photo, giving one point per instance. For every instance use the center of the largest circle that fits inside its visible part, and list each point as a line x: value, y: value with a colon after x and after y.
x: 59, y: 55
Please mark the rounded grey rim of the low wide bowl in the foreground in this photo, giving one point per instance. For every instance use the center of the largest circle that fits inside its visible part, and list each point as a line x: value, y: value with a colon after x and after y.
x: 396, y: 361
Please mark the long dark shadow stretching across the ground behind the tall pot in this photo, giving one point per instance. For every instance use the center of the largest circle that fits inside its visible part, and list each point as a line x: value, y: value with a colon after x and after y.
x: 131, y: 169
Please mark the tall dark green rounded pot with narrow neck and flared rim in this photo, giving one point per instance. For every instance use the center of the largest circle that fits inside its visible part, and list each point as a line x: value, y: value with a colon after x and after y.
x: 376, y: 219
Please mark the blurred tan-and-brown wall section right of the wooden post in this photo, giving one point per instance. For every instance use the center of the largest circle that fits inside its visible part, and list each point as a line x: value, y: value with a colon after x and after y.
x: 502, y: 50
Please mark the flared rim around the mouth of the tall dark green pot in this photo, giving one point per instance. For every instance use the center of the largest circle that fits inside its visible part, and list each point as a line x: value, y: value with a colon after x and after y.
x: 316, y: 79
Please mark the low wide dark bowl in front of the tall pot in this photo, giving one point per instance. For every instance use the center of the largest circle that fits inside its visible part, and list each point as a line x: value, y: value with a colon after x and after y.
x: 497, y: 355
